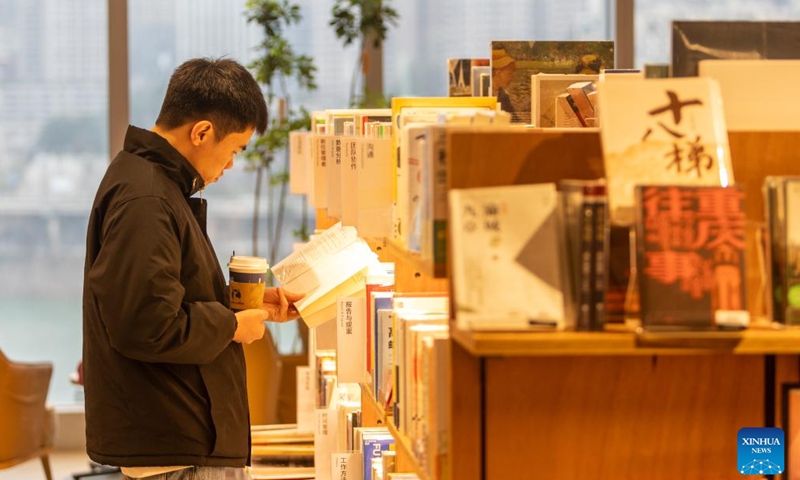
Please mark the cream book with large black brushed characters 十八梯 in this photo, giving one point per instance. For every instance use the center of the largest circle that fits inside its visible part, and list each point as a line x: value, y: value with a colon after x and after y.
x: 661, y: 132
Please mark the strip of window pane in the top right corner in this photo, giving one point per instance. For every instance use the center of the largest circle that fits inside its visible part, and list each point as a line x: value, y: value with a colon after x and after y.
x: 653, y: 20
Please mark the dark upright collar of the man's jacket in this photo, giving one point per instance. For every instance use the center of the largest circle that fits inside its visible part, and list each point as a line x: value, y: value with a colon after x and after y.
x: 156, y: 149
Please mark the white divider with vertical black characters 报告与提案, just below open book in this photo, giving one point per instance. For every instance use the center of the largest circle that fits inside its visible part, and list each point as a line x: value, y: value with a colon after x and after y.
x: 350, y: 334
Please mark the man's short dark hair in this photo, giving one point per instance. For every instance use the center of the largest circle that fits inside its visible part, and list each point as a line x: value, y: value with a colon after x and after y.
x: 218, y: 90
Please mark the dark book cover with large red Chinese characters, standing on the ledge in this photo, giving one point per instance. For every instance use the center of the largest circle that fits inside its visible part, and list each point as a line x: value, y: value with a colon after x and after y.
x: 690, y: 255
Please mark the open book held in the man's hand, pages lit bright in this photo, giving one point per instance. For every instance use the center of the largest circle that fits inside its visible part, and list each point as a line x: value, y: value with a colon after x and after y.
x: 333, y: 264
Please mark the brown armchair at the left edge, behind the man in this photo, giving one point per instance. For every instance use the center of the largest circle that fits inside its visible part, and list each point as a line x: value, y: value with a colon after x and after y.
x: 27, y: 426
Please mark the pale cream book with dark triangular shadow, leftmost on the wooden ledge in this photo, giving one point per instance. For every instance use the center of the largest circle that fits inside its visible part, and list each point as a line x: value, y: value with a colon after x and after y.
x: 507, y: 257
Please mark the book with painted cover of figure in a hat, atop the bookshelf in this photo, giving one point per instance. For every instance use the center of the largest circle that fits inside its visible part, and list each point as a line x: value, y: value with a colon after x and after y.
x: 513, y: 63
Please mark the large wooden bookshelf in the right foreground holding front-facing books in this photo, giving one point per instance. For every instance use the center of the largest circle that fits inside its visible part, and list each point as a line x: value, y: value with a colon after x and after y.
x: 613, y: 404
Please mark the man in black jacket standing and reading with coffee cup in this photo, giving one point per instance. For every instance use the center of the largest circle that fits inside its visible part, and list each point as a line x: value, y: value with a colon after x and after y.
x: 164, y: 371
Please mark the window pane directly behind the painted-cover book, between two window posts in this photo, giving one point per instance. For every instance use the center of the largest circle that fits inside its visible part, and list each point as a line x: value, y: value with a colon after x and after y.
x: 430, y: 32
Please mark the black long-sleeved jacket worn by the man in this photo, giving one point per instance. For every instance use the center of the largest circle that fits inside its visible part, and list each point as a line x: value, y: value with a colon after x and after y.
x: 164, y: 383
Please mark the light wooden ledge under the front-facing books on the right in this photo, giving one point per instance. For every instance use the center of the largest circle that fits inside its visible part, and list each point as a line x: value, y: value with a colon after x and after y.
x: 747, y: 342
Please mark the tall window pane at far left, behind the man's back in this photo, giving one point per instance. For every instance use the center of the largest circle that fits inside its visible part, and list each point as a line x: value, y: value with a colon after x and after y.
x: 53, y: 144
